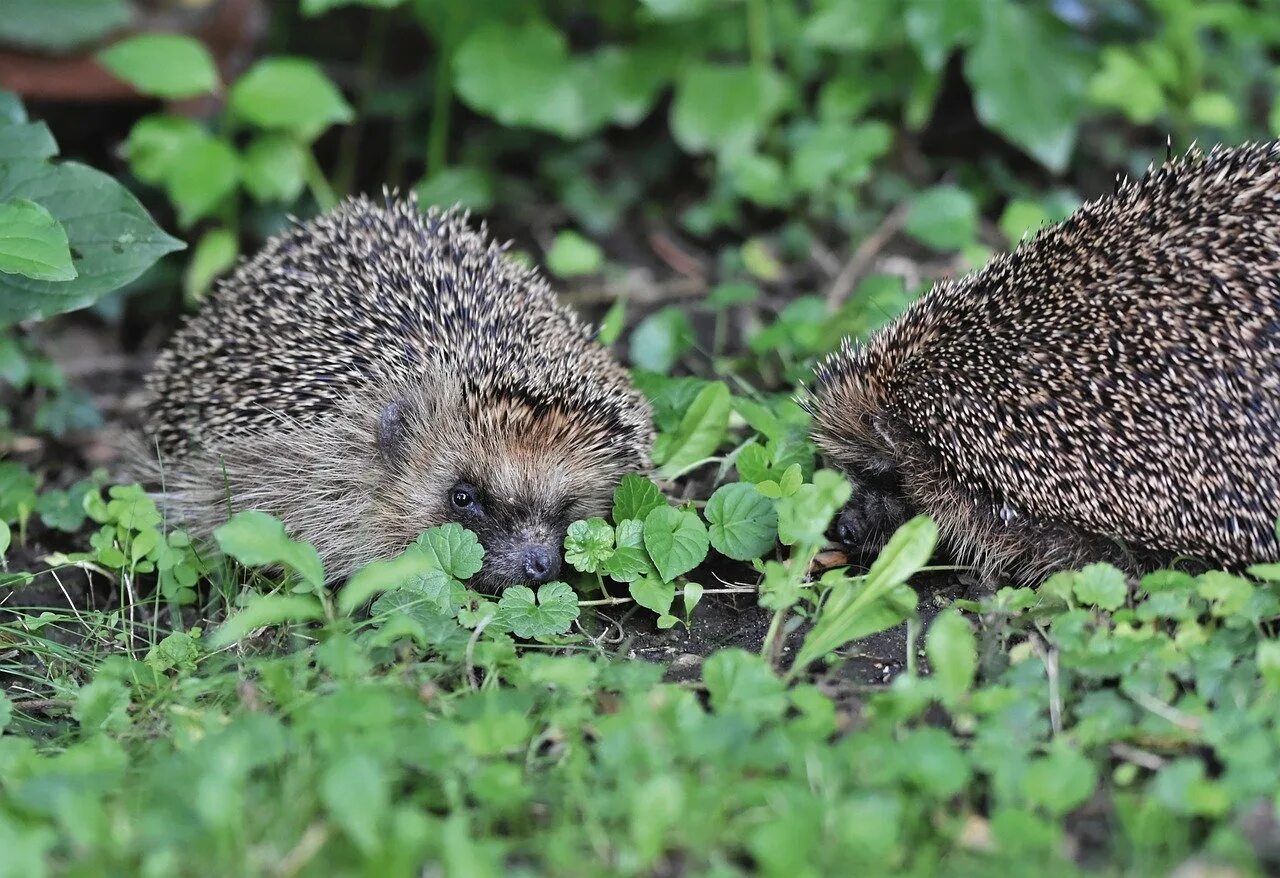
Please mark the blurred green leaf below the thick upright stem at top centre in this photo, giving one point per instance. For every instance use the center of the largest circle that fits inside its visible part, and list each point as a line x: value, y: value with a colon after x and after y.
x: 725, y: 108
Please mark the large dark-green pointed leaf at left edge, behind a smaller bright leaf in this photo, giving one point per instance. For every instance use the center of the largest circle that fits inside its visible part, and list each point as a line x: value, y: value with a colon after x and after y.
x: 111, y: 235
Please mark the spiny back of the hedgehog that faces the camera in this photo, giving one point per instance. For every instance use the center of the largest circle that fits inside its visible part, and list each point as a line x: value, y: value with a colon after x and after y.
x: 373, y: 295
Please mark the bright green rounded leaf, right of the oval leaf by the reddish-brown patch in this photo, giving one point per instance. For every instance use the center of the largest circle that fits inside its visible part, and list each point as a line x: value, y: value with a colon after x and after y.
x: 290, y: 94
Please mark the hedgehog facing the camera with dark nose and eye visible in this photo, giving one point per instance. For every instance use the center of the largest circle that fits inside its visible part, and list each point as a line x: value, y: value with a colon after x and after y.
x: 382, y: 371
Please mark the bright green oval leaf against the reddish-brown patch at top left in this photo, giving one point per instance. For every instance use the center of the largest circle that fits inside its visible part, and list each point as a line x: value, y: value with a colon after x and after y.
x: 163, y: 65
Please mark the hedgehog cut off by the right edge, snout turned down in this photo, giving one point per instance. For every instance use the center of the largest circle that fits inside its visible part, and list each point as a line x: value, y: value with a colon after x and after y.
x: 1109, y: 391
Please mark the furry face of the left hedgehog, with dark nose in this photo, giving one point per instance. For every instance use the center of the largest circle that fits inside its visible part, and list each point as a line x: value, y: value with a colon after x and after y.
x: 515, y: 474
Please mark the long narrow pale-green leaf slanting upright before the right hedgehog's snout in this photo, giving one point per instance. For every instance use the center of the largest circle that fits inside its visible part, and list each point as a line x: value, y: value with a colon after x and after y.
x: 906, y: 554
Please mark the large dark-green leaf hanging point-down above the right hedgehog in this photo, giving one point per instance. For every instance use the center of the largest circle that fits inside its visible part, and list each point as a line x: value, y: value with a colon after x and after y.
x: 1035, y: 104
